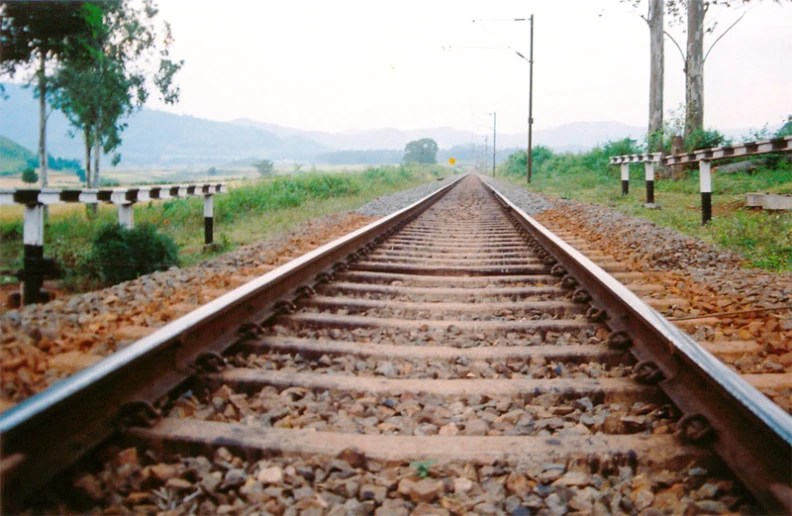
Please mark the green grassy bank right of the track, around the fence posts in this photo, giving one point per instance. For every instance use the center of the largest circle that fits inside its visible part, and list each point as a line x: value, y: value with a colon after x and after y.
x: 763, y: 238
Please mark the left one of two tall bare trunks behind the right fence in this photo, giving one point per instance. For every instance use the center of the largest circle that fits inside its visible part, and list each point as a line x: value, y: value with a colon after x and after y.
x: 655, y: 20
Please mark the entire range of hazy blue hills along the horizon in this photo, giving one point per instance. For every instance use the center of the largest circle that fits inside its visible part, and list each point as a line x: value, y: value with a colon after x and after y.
x: 156, y: 139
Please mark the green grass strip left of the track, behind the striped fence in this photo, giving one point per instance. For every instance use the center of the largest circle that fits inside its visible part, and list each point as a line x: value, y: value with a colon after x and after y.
x: 253, y: 210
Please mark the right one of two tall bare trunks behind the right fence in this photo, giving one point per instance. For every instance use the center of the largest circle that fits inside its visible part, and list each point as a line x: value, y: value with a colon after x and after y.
x: 694, y: 68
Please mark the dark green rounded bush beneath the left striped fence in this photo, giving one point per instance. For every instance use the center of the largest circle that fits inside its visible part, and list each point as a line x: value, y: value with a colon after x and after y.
x: 121, y: 254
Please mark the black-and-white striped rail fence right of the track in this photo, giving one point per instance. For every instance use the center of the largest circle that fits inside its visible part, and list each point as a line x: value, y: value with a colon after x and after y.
x: 704, y: 158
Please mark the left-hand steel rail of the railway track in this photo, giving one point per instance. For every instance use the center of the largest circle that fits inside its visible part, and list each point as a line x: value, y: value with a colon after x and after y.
x: 49, y: 431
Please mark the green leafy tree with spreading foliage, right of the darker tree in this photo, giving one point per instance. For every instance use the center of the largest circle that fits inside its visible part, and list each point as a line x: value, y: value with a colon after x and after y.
x: 105, y: 77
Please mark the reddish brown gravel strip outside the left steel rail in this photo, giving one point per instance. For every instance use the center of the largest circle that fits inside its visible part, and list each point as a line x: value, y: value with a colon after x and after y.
x: 42, y: 344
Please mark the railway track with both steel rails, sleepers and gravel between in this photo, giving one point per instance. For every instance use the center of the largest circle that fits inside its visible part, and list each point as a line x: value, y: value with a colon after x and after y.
x: 452, y: 358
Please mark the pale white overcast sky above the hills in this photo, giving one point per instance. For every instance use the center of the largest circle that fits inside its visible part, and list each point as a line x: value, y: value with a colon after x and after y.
x: 338, y: 65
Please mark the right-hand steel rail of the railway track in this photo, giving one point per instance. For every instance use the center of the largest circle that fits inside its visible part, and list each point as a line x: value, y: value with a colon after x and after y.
x: 750, y: 433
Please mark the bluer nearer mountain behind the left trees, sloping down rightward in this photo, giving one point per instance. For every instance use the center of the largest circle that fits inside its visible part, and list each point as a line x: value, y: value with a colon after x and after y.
x: 154, y: 138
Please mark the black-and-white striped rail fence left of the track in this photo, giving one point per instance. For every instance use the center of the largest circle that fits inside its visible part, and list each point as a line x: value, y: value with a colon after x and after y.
x: 36, y: 267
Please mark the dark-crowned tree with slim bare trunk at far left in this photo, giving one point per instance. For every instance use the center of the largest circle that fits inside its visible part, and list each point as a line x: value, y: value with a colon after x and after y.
x: 38, y: 31
